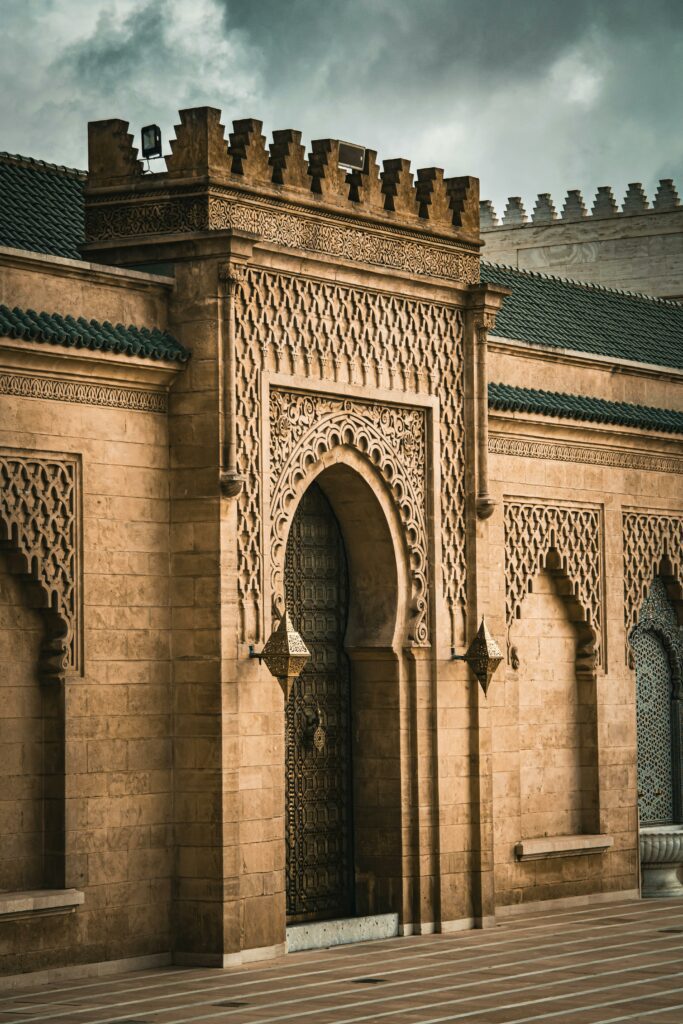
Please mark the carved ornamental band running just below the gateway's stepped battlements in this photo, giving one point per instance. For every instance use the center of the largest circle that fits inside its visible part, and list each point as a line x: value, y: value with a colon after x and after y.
x: 286, y: 226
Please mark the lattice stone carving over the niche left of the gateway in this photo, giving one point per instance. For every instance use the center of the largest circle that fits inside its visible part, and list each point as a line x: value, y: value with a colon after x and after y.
x: 39, y: 527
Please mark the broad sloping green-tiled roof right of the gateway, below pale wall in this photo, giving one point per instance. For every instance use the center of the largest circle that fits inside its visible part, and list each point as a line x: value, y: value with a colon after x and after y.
x: 587, y: 318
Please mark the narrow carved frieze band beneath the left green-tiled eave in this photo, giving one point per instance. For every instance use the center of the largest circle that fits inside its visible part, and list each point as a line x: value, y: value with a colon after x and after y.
x: 26, y: 387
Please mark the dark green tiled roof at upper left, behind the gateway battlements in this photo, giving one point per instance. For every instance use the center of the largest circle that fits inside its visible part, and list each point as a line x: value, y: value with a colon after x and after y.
x: 41, y: 206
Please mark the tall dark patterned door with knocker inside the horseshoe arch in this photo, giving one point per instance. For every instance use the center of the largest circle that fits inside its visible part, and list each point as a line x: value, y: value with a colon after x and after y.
x: 320, y: 859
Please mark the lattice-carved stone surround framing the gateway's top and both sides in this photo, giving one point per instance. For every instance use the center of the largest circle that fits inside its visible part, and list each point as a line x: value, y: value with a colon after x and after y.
x: 324, y: 331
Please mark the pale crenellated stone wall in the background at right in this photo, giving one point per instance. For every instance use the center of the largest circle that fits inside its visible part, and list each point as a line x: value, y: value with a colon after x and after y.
x: 638, y: 247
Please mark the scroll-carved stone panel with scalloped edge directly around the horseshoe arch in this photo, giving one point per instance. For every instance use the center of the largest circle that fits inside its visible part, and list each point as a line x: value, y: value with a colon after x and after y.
x: 304, y: 428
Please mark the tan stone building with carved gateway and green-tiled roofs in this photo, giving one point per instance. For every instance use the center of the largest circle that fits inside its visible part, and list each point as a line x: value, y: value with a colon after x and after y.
x: 259, y: 382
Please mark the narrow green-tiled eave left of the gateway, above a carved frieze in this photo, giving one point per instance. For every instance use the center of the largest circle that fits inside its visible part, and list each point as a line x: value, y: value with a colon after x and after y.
x: 56, y: 330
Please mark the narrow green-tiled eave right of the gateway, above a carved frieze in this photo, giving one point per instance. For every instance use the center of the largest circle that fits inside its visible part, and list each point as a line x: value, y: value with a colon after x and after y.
x: 579, y: 407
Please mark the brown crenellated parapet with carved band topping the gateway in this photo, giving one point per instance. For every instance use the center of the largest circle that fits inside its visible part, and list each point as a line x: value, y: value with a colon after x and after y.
x: 208, y: 176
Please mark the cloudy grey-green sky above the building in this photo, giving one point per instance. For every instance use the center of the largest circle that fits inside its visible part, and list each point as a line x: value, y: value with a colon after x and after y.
x: 531, y: 96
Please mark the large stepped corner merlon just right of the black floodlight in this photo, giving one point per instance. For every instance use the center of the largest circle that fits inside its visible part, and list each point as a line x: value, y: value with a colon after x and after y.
x: 199, y: 148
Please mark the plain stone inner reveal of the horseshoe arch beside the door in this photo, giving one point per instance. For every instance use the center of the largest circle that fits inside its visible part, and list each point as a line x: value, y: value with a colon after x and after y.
x: 378, y: 614
